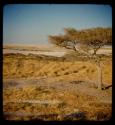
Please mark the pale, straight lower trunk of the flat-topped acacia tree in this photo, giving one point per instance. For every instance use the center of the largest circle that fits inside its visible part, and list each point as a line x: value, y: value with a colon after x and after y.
x: 99, y: 68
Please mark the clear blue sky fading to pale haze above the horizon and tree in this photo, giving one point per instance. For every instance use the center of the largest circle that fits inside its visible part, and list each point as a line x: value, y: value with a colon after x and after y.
x: 33, y: 23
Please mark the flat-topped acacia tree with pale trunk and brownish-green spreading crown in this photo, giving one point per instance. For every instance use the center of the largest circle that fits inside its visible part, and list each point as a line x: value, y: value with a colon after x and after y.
x: 83, y: 41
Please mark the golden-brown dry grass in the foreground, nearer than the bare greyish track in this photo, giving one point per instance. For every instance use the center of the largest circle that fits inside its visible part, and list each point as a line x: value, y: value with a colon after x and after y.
x: 70, y: 103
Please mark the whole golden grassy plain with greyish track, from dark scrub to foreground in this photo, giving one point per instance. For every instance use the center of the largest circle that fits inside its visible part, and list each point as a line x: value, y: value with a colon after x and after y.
x: 55, y: 88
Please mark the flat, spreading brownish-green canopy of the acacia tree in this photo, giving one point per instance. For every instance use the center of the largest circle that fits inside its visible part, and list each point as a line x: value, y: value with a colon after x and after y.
x: 93, y: 38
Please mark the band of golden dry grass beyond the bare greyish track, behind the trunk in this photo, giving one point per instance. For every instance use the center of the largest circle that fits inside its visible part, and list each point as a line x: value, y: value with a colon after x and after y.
x: 21, y: 67
